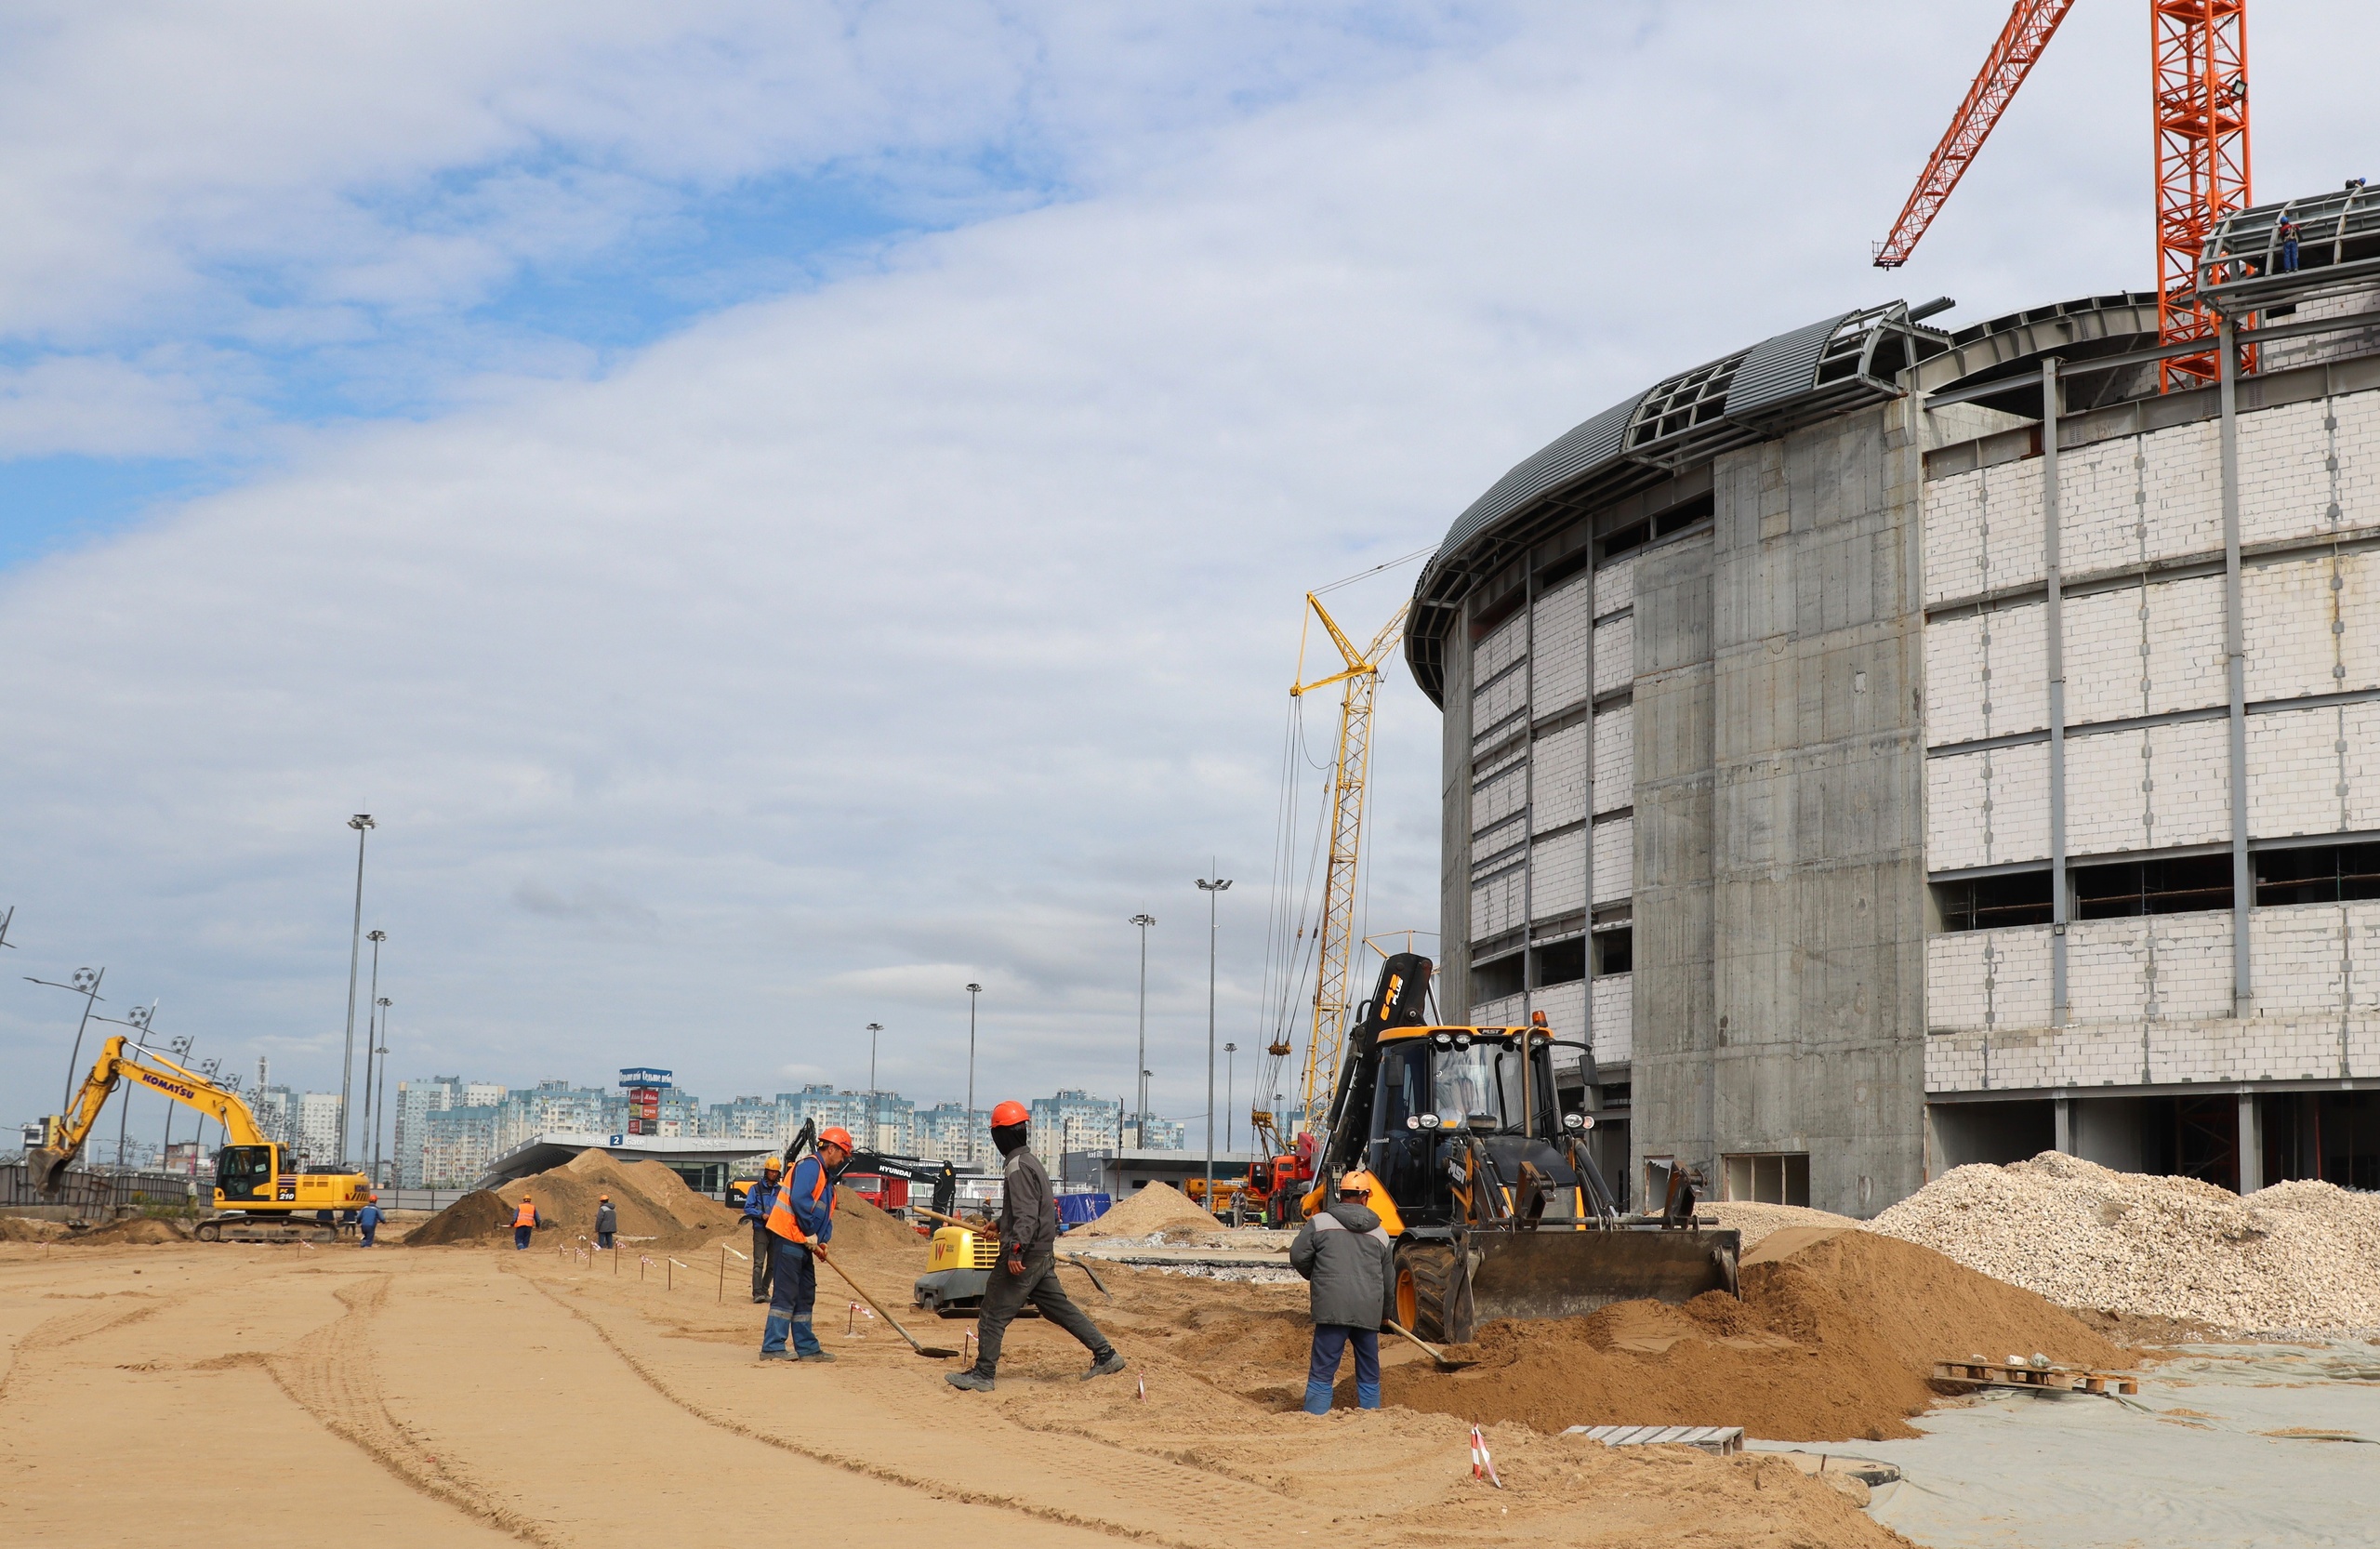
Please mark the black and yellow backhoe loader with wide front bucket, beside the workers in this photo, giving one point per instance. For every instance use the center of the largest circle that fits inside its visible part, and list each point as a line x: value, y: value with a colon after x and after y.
x: 1484, y: 1184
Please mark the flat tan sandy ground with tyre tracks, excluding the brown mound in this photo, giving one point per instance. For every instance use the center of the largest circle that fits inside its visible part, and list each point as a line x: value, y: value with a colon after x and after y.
x: 472, y: 1396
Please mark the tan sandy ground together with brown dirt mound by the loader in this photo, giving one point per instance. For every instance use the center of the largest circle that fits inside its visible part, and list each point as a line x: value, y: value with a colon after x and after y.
x: 577, y: 1398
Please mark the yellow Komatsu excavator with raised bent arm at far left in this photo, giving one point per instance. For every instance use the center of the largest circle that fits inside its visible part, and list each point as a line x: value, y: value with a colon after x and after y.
x: 261, y: 1191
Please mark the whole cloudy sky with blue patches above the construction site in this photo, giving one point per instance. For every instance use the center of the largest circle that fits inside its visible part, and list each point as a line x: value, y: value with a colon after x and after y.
x: 791, y: 510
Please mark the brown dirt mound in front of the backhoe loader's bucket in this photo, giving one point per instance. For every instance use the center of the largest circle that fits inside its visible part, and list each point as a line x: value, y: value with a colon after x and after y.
x: 1834, y: 1341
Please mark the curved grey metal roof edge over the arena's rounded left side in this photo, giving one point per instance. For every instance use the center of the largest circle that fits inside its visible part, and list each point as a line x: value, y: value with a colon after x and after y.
x: 1743, y: 399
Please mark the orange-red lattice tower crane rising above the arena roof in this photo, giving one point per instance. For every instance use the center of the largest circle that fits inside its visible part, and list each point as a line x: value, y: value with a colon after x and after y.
x: 2198, y: 77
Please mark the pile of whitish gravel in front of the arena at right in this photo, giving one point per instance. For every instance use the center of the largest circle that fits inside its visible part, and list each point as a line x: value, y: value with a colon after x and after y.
x: 2291, y: 1258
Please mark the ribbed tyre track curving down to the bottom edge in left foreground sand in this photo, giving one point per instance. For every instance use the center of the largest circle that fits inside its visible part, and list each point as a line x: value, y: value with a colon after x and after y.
x: 330, y: 1374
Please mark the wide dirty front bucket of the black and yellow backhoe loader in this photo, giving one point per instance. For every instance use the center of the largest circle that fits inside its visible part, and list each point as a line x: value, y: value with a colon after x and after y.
x: 1567, y: 1274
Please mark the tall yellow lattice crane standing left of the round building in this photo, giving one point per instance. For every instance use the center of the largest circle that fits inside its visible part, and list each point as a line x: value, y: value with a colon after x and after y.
x: 1360, y: 679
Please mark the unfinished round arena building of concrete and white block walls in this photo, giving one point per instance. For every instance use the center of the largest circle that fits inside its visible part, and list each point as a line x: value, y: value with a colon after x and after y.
x: 1869, y: 822
